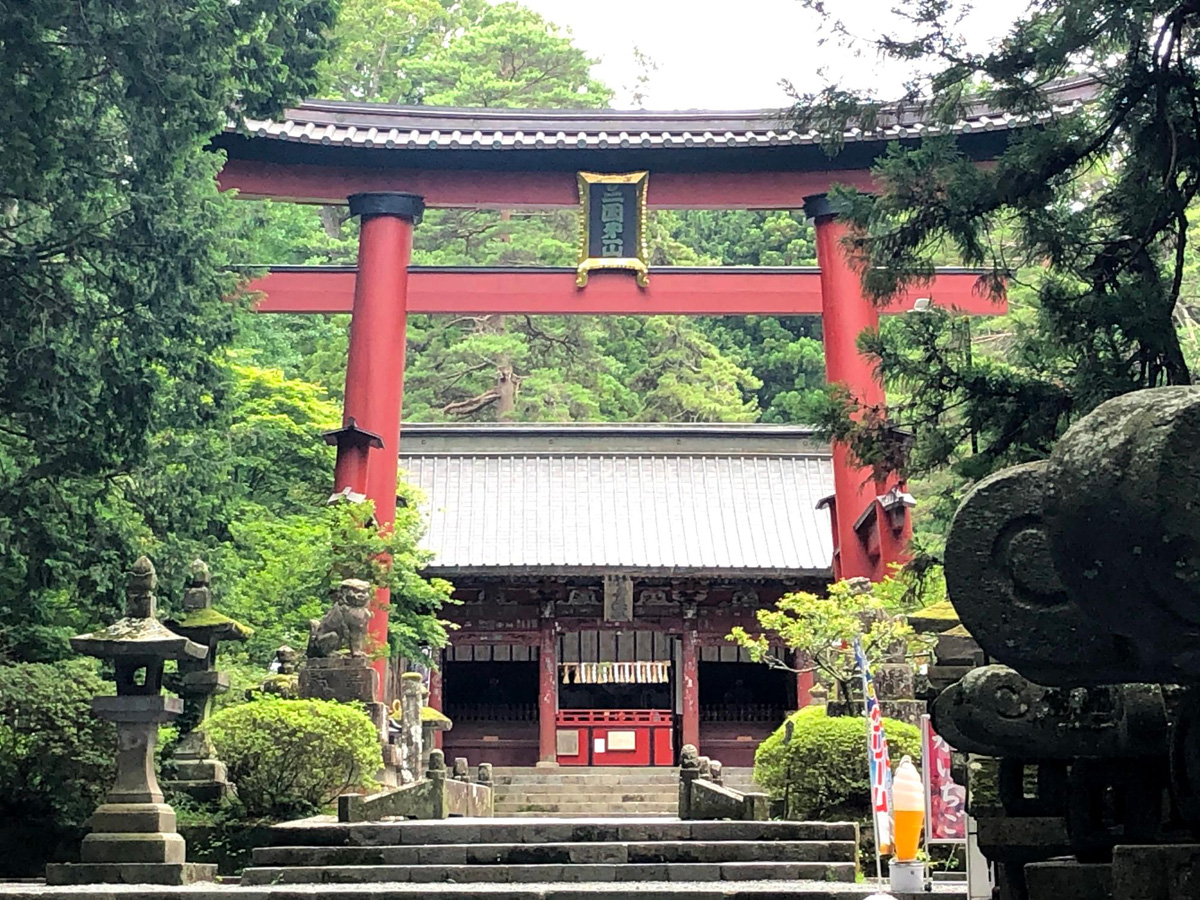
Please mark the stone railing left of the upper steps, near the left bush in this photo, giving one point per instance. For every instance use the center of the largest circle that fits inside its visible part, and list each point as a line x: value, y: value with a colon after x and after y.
x: 440, y: 795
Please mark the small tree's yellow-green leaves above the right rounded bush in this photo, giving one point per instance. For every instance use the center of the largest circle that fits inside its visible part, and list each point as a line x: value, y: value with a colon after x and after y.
x: 824, y: 629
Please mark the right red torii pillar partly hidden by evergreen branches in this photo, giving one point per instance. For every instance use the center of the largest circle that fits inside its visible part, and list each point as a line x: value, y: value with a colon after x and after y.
x: 871, y: 520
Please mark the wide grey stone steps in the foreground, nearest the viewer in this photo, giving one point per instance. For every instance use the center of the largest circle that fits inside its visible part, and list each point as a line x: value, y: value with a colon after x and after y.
x: 617, y: 853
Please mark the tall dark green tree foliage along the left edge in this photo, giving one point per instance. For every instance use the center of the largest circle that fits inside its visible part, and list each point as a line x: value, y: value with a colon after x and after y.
x: 111, y: 269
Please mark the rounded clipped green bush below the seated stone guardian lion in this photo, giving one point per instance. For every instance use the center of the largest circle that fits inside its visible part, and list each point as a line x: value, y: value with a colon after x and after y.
x: 291, y: 758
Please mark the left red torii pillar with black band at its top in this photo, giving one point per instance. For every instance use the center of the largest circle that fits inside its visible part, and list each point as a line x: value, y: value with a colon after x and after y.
x: 369, y: 442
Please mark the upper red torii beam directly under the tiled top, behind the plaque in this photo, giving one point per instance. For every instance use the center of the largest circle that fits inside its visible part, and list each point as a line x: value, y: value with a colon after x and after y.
x: 529, y: 190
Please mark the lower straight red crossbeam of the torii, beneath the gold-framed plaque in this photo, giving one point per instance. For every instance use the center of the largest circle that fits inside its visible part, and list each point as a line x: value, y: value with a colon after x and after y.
x: 687, y: 292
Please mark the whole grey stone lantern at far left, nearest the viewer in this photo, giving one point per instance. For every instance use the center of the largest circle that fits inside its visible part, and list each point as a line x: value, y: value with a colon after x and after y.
x: 134, y: 837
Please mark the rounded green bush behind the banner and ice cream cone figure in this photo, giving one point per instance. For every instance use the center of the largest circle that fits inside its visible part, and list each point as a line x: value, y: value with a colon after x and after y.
x: 823, y: 772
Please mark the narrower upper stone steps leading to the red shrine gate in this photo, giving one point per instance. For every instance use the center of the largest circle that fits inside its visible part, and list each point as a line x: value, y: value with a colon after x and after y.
x: 611, y: 791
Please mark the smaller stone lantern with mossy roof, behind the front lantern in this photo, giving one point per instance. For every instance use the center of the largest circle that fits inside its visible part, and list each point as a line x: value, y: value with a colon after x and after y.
x: 199, y: 772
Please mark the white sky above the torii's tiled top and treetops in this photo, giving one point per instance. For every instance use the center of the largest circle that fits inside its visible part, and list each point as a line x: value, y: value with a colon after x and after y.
x: 731, y: 55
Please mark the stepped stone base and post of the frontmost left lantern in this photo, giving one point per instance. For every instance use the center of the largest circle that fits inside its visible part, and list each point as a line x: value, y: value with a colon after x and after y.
x: 134, y: 837
